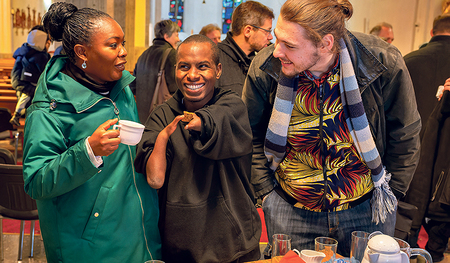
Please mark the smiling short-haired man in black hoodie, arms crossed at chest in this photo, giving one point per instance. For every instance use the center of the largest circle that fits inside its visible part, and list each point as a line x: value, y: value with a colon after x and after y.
x: 202, y: 167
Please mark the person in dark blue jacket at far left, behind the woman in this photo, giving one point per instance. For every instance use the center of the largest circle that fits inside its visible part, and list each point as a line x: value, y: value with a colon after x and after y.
x: 31, y: 59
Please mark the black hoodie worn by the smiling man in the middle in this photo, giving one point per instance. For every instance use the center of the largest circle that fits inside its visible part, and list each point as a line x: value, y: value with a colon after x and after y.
x: 206, y: 203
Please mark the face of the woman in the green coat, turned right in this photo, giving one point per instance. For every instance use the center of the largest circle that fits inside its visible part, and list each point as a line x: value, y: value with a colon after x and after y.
x: 105, y: 55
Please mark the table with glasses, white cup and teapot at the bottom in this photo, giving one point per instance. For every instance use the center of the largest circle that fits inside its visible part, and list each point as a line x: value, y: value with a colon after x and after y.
x: 365, y: 248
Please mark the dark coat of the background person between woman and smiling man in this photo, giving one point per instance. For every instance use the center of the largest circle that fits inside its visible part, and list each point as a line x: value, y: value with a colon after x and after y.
x: 146, y: 73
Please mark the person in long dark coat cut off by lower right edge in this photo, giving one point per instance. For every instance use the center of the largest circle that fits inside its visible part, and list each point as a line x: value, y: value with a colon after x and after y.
x: 430, y: 187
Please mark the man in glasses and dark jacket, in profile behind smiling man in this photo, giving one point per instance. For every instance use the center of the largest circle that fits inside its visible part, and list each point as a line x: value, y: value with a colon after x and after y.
x: 251, y: 31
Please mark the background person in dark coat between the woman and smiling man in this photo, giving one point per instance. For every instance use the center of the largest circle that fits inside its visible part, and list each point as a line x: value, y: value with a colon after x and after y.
x: 147, y: 66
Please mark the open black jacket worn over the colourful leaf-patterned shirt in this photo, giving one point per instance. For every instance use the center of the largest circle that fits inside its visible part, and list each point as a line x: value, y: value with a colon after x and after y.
x: 388, y: 98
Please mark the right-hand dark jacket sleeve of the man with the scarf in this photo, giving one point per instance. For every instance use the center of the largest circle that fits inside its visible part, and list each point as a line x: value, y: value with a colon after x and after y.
x: 403, y: 124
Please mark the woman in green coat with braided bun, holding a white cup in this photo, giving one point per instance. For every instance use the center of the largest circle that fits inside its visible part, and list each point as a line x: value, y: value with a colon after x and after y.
x: 93, y: 206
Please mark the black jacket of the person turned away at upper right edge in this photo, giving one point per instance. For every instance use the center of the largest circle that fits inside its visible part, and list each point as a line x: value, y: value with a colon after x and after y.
x: 429, y: 67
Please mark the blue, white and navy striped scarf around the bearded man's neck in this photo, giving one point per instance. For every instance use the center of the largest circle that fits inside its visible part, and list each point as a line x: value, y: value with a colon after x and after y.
x: 383, y: 200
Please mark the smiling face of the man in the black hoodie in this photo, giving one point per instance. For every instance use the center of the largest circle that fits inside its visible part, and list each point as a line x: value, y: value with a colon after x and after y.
x: 196, y: 73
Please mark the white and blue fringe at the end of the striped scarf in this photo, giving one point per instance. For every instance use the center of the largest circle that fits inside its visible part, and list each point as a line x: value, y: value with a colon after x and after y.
x: 383, y: 201
